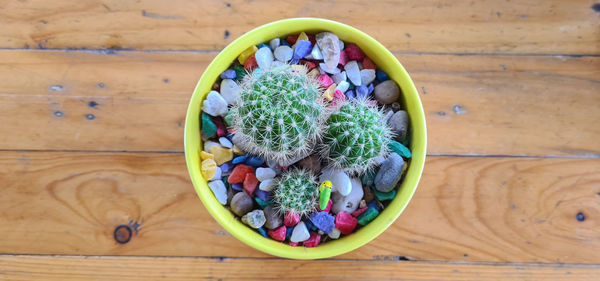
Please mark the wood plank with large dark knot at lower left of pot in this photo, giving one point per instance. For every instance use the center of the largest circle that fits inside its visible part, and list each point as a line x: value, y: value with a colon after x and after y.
x: 467, y: 209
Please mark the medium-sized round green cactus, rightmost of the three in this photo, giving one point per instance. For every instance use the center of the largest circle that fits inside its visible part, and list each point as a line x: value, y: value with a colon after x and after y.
x: 355, y: 136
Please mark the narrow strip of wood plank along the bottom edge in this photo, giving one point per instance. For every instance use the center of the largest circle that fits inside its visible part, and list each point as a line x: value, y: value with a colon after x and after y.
x: 180, y: 268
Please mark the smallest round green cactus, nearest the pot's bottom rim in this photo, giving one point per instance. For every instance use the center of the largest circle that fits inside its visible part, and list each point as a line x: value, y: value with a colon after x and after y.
x: 296, y: 192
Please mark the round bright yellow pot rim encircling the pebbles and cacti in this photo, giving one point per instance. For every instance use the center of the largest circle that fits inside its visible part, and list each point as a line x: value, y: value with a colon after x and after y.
x: 384, y: 61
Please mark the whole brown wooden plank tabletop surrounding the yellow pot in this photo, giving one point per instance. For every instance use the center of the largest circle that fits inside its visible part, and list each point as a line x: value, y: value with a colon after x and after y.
x: 93, y: 96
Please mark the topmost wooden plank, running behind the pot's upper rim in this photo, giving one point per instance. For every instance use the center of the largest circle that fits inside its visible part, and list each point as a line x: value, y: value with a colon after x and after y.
x: 485, y: 26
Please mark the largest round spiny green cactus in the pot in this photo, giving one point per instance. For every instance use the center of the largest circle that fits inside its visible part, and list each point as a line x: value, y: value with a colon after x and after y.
x: 280, y: 114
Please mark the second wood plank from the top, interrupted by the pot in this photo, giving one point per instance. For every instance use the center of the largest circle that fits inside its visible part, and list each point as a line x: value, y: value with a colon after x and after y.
x: 498, y: 105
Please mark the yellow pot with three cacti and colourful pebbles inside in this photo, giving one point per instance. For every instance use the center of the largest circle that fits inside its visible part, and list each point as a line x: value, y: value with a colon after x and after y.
x: 305, y: 139
